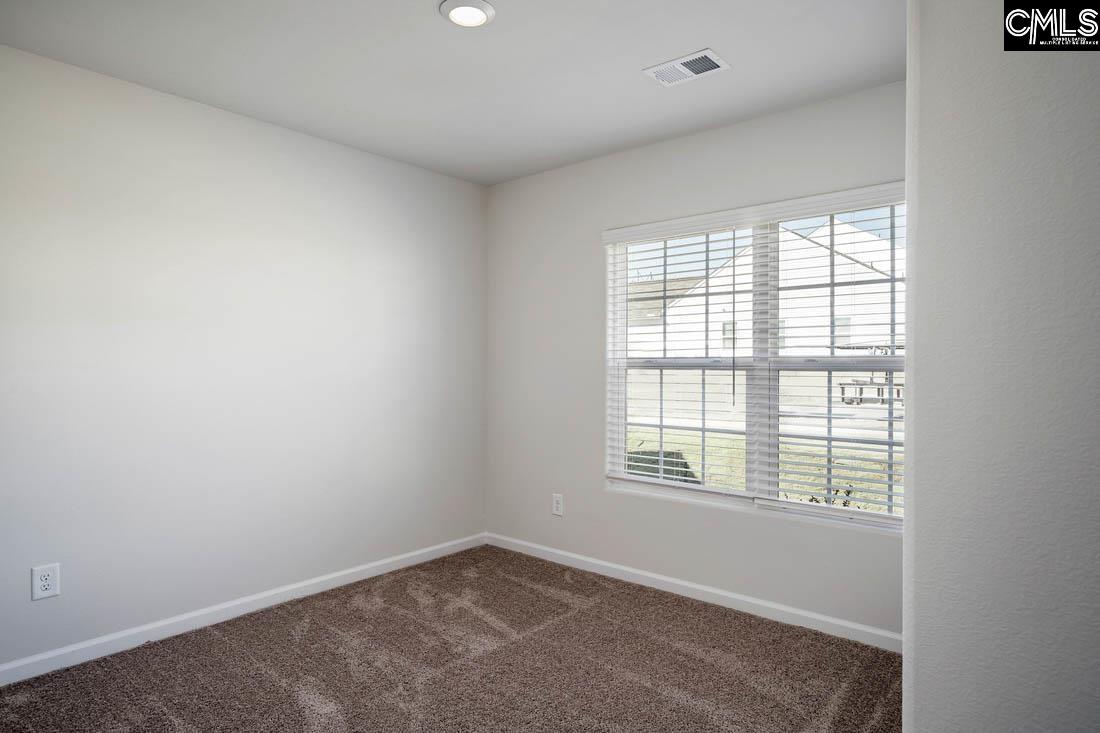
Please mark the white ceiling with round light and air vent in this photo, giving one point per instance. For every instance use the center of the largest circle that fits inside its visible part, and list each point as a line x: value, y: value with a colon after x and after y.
x: 548, y: 83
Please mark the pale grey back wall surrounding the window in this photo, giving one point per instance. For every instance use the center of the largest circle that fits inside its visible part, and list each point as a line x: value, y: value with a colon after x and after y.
x: 547, y: 420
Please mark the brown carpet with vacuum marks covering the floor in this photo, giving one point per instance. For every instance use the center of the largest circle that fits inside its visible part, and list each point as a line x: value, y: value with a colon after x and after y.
x: 486, y: 640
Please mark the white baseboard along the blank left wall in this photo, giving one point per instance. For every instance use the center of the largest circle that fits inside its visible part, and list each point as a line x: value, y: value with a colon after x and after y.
x: 67, y: 657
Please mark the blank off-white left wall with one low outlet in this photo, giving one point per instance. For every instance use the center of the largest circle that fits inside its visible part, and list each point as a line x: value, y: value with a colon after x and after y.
x: 232, y: 357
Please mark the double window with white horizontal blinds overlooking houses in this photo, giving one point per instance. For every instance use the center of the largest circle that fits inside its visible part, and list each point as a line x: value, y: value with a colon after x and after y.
x: 762, y: 356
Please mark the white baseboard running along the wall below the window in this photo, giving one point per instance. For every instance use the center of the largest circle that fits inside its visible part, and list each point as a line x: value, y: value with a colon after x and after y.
x: 873, y: 636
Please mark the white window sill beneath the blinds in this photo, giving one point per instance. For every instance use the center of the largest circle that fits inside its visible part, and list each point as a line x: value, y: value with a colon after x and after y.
x: 745, y: 502
